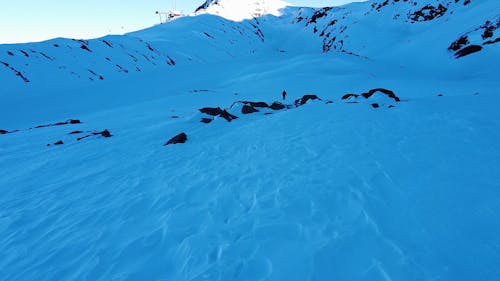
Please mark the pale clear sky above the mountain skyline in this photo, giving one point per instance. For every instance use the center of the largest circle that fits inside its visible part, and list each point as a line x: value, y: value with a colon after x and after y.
x: 36, y: 20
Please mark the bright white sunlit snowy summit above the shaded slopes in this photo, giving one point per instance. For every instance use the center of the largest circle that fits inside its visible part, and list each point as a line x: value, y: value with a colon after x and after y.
x: 238, y: 10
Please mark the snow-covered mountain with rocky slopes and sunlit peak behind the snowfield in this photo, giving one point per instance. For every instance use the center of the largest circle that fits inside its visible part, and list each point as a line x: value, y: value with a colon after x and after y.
x: 433, y: 30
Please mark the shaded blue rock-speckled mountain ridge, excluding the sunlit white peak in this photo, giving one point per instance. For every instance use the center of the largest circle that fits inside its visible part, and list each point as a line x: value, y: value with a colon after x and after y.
x: 337, y: 28
